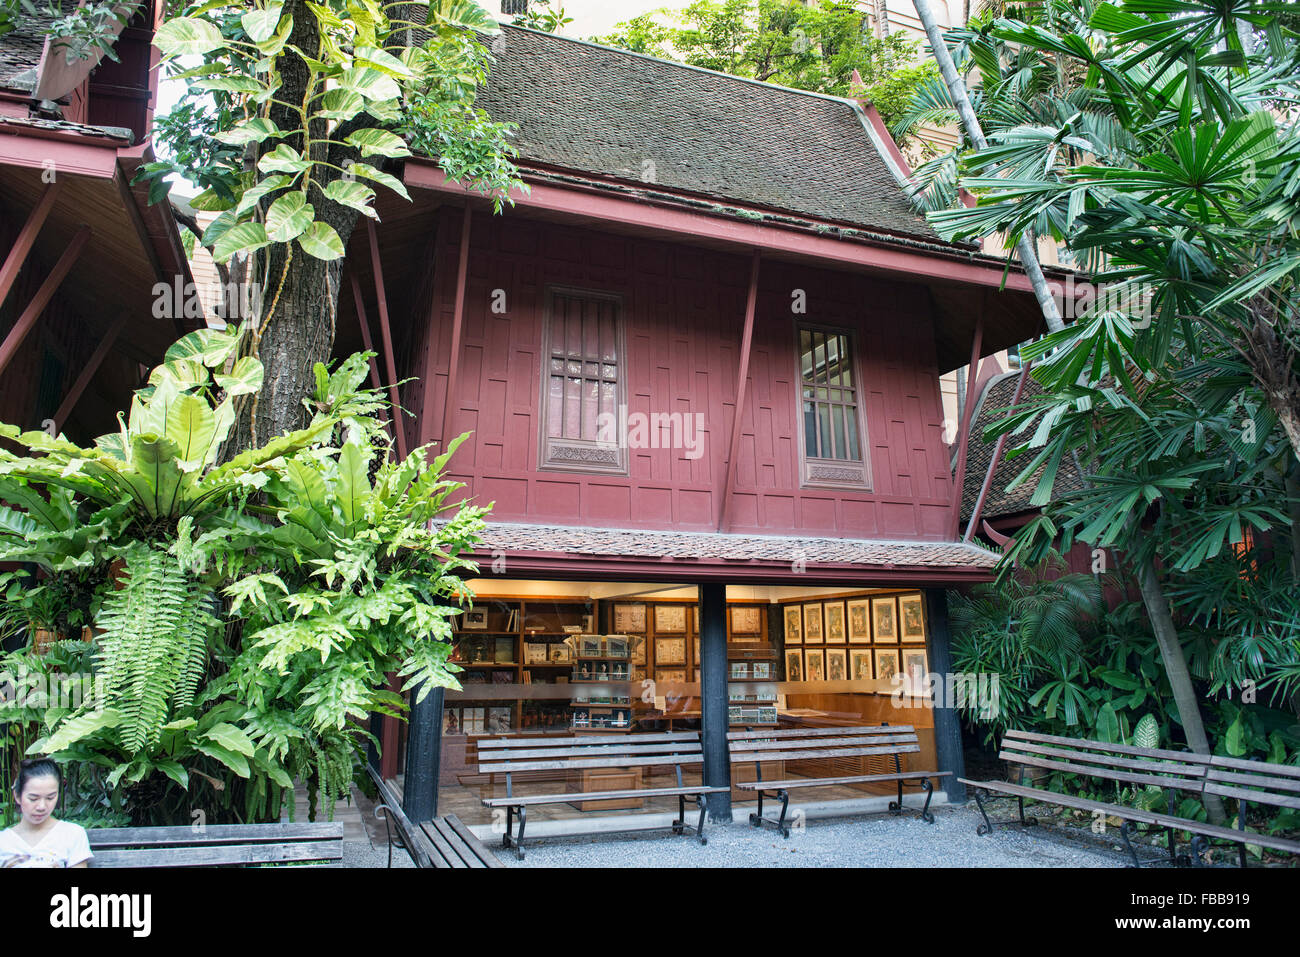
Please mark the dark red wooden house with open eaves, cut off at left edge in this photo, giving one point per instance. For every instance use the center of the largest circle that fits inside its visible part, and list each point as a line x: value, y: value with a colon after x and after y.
x: 83, y: 253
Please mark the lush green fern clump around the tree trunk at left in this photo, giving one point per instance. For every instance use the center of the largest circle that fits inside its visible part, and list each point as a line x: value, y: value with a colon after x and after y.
x: 248, y: 613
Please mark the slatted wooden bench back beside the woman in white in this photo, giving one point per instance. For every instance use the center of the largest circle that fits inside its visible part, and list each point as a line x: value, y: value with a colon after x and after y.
x: 218, y: 846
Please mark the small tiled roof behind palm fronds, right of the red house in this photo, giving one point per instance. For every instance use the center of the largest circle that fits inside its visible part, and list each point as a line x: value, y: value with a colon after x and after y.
x: 998, y: 397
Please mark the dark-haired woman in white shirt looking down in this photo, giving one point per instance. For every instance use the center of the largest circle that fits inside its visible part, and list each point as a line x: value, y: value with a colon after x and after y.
x: 38, y: 841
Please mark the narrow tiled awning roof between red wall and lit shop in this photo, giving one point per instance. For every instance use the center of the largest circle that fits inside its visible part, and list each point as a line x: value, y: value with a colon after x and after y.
x: 716, y: 547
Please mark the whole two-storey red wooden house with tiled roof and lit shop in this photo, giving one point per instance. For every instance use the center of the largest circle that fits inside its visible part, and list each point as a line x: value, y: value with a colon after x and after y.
x: 700, y: 367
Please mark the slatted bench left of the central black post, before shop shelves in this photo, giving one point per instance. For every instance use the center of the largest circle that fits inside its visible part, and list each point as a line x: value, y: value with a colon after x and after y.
x: 510, y: 756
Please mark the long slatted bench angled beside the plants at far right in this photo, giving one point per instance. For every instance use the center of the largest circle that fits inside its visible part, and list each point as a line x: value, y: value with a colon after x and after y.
x: 1129, y: 767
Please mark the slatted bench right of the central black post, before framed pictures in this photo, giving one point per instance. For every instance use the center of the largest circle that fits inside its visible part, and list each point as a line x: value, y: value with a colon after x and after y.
x: 825, y: 744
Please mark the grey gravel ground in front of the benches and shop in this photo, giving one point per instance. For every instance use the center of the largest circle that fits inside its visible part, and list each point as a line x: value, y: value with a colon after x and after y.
x: 859, y: 842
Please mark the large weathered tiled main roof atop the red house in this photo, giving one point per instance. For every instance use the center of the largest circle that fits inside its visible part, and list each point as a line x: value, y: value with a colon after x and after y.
x: 642, y: 120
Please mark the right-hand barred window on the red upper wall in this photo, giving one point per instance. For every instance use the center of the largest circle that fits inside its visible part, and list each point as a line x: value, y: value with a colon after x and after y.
x: 833, y: 447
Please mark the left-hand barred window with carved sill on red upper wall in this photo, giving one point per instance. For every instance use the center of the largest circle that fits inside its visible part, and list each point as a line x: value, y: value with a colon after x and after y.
x: 583, y: 383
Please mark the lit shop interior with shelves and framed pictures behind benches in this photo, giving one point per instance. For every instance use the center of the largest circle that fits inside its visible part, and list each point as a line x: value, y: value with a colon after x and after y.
x: 566, y: 660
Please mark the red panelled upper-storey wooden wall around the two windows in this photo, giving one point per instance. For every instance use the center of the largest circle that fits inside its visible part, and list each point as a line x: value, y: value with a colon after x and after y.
x: 684, y: 315
